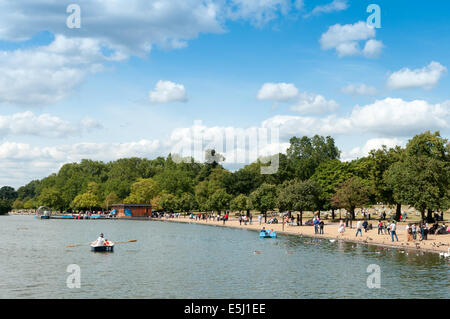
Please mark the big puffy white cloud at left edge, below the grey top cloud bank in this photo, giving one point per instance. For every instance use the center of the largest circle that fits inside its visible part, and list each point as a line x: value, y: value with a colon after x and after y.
x: 47, y: 74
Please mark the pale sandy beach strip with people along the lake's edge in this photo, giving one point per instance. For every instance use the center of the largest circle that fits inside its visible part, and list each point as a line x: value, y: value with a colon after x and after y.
x: 434, y: 243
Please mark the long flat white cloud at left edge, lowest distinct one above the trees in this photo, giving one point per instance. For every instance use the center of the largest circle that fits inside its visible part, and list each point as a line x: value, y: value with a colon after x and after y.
x: 45, y: 125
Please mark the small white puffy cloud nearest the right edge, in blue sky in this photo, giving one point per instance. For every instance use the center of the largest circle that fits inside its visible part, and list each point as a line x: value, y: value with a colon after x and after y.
x: 426, y: 77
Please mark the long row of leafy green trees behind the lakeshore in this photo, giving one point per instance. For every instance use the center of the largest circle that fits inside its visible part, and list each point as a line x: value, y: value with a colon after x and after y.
x: 310, y: 178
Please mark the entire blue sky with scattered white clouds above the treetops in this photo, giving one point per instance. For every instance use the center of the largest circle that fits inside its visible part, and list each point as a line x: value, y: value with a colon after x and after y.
x: 145, y: 78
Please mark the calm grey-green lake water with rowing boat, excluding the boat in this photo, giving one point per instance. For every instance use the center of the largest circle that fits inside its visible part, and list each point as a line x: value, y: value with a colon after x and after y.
x: 175, y: 260
